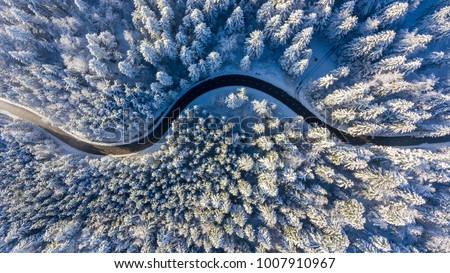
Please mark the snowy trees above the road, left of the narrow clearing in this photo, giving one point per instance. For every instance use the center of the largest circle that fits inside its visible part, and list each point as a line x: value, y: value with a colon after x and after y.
x: 64, y: 57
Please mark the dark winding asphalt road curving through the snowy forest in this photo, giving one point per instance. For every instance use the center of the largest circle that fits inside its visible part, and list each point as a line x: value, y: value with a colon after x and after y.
x: 191, y: 95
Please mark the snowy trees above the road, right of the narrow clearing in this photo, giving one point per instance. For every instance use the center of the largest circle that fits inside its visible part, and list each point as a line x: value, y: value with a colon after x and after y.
x: 397, y: 83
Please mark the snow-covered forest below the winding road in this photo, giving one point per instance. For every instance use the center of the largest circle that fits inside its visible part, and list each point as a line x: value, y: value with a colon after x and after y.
x: 208, y: 190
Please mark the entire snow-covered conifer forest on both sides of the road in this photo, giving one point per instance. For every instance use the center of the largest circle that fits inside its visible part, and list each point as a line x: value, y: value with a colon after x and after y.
x: 87, y: 66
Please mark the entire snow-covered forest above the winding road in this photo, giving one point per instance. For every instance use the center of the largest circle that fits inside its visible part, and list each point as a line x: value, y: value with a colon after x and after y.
x: 92, y: 65
